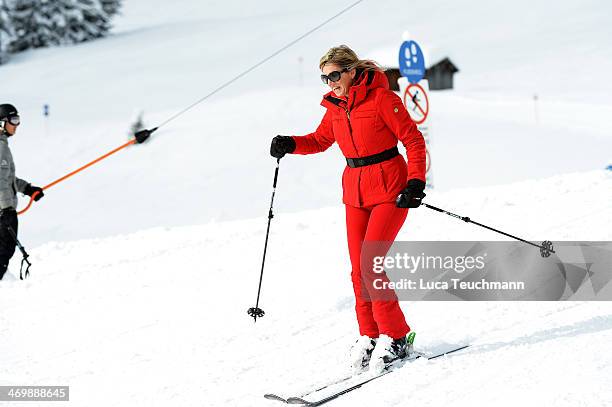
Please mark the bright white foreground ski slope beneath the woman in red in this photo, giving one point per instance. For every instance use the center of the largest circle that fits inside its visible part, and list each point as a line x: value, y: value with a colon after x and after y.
x: 158, y: 317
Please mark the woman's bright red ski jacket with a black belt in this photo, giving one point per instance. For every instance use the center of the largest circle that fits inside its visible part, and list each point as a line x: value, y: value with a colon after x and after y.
x: 370, y: 121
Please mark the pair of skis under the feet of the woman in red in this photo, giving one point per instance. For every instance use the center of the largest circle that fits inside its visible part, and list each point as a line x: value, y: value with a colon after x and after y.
x: 392, y: 367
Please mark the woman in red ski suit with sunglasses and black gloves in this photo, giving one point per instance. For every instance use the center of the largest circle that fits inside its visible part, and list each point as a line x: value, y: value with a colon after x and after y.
x: 366, y: 119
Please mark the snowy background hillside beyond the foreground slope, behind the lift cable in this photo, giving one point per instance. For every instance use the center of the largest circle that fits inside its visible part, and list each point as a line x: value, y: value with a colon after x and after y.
x: 212, y: 163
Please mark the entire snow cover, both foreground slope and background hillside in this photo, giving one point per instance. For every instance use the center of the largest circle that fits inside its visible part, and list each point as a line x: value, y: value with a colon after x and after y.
x: 145, y: 265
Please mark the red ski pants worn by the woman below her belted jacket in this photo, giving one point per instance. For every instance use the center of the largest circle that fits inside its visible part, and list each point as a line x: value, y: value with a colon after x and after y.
x: 376, y: 223
